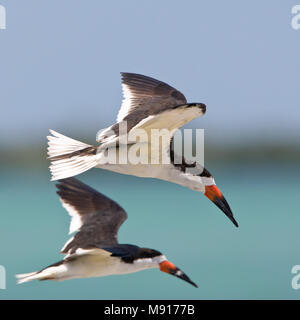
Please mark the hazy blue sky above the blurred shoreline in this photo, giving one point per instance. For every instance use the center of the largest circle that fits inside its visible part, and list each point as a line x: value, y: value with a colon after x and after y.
x: 60, y: 64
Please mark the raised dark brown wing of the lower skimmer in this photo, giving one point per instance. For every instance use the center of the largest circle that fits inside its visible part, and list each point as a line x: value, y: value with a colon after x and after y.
x: 95, y: 217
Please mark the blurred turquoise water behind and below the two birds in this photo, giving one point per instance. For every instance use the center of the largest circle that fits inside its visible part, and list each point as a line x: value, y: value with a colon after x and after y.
x: 251, y: 262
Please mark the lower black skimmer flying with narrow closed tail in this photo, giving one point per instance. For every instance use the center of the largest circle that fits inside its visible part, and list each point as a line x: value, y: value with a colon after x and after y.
x: 94, y: 251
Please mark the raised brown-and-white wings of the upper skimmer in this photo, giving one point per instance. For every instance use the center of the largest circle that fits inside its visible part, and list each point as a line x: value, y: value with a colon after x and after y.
x: 149, y: 104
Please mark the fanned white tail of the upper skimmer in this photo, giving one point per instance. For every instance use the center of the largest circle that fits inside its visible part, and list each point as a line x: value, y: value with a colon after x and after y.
x: 69, y: 157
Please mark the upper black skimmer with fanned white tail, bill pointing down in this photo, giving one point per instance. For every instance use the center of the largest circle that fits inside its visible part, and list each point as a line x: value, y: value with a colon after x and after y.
x: 148, y: 104
